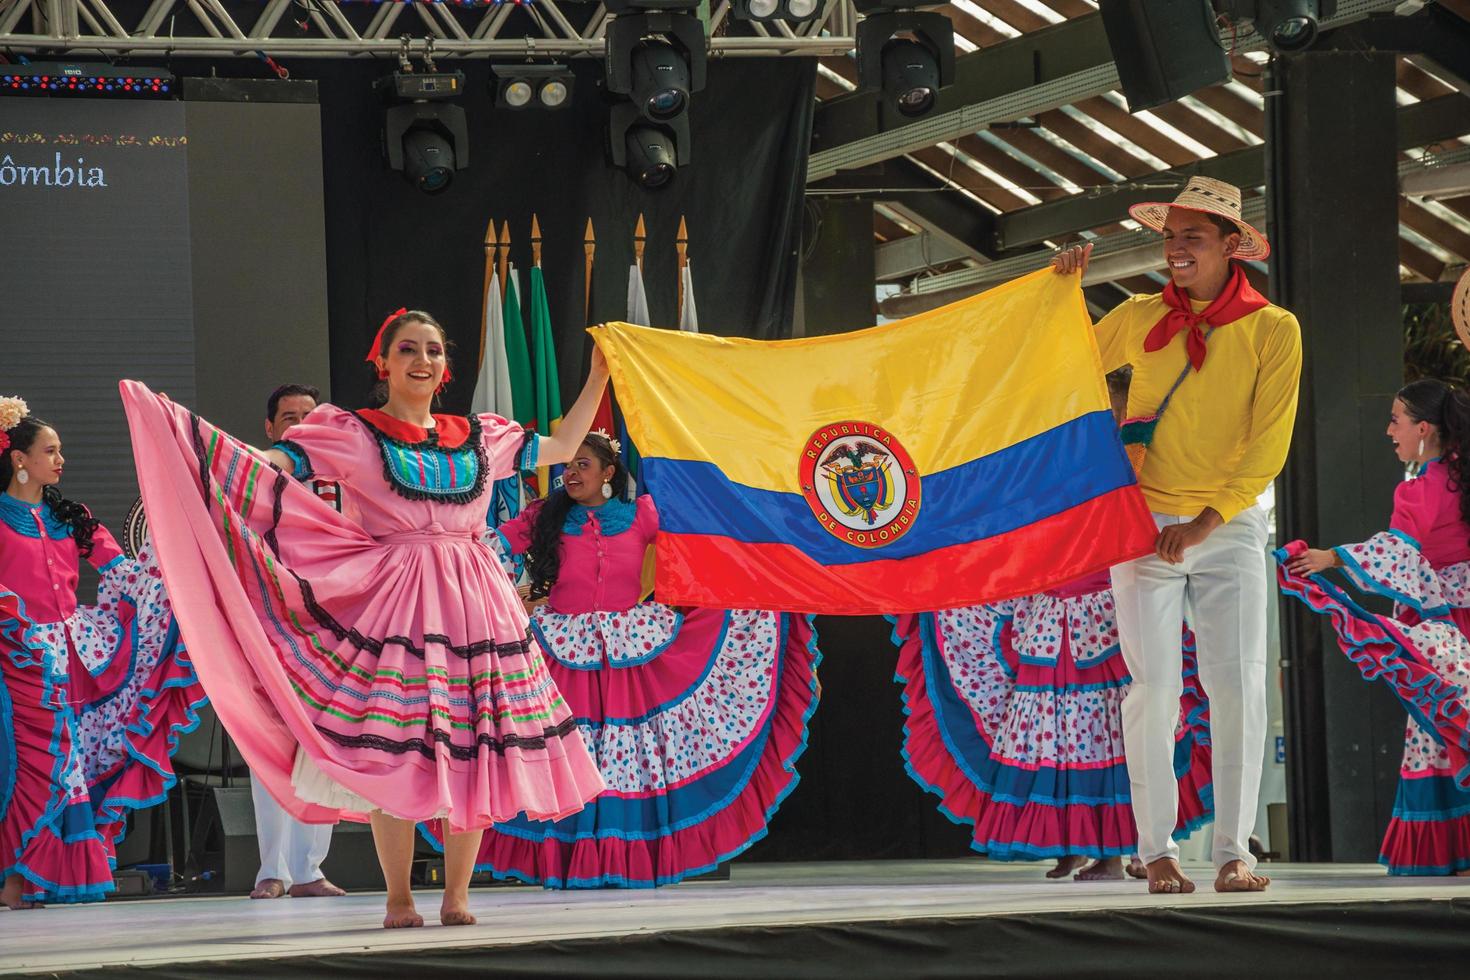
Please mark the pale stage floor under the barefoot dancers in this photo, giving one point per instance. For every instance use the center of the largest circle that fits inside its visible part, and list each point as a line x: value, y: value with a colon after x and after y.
x: 192, y: 937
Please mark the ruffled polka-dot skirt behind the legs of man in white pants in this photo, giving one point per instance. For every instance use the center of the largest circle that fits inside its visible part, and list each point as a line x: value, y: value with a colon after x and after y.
x: 1015, y: 722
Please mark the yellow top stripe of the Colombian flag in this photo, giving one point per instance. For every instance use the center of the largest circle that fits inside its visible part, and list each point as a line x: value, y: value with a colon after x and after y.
x: 953, y: 384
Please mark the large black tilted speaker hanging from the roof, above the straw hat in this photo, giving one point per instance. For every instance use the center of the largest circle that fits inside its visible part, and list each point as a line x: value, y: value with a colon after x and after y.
x: 1165, y: 49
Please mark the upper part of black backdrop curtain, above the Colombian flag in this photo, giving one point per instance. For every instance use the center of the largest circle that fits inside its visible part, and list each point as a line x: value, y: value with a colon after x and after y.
x: 390, y: 246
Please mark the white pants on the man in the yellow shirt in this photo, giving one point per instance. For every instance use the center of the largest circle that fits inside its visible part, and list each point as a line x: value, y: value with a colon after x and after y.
x: 1224, y: 584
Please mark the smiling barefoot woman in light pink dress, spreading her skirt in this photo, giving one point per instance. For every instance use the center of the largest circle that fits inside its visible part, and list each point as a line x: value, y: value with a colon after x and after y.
x: 373, y: 665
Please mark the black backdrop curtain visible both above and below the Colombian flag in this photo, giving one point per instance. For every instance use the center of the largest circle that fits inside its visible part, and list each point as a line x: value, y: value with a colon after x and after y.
x: 390, y: 246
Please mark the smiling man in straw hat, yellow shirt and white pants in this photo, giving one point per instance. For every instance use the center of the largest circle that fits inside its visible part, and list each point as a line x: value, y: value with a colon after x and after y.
x: 1216, y: 371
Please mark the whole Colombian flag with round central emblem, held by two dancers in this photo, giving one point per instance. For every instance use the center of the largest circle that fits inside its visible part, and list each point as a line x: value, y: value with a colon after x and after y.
x: 956, y: 458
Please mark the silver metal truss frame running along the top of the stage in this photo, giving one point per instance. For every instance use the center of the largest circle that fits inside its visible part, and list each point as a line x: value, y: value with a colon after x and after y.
x: 339, y: 29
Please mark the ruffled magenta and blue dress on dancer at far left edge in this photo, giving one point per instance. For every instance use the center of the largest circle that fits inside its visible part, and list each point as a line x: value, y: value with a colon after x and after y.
x: 92, y: 705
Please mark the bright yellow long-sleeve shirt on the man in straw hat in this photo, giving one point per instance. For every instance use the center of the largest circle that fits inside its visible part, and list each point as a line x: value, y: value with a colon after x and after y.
x: 1227, y: 431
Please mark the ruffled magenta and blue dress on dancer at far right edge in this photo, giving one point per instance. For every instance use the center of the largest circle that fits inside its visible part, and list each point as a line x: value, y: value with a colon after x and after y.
x: 1422, y: 652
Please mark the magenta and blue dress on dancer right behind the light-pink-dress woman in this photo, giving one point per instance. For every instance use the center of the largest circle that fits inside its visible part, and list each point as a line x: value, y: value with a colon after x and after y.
x: 696, y: 718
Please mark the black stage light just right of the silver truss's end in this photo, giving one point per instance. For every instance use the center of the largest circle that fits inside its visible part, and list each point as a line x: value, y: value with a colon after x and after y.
x: 909, y: 55
